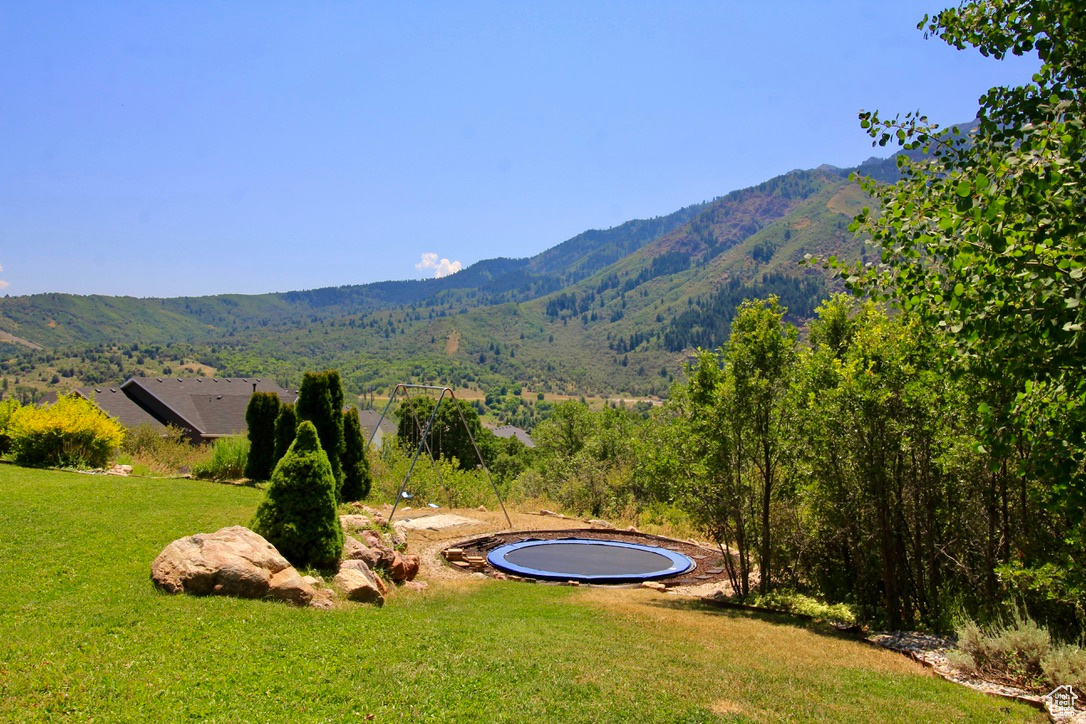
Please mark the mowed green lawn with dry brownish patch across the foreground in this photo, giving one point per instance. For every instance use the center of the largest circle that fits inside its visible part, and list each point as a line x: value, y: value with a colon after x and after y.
x: 85, y: 637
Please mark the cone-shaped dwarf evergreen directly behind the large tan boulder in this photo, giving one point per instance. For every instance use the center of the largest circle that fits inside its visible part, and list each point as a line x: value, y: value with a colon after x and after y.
x: 298, y: 515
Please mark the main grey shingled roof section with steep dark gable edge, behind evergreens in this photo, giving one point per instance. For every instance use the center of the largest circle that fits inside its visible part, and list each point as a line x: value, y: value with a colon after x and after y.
x: 212, y: 408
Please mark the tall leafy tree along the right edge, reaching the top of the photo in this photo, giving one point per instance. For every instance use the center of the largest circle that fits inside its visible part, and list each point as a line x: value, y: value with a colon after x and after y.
x: 983, y: 238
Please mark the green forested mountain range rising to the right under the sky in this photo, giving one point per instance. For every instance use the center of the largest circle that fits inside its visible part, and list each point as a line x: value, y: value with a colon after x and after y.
x: 610, y: 312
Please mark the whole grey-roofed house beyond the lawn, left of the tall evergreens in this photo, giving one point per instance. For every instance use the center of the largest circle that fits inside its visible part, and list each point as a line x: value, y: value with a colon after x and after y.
x: 206, y: 409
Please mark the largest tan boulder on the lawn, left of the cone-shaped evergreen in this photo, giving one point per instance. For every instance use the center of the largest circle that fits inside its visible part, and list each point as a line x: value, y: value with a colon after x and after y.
x: 232, y: 562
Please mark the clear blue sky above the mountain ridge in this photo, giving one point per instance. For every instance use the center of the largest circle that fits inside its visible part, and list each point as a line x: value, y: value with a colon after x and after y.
x: 165, y: 149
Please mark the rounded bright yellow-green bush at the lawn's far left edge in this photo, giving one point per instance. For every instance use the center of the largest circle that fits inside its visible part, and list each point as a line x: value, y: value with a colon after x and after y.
x: 71, y: 434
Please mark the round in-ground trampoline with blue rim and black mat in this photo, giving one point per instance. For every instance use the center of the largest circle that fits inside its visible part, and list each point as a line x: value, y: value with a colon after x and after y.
x: 589, y: 561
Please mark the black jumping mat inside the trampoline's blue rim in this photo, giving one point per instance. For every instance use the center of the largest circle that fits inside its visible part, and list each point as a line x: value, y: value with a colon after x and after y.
x: 583, y: 560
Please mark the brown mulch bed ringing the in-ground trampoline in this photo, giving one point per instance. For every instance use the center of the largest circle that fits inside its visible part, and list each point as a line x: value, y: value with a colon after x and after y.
x: 709, y: 570
